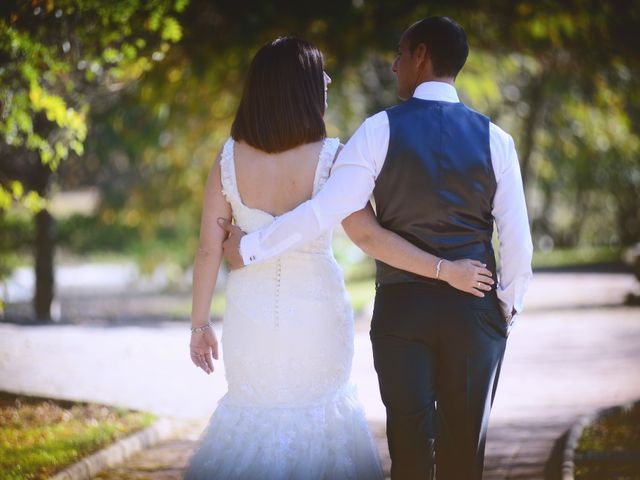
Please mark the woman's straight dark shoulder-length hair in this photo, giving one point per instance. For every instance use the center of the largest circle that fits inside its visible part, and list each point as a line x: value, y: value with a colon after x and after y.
x: 283, y: 98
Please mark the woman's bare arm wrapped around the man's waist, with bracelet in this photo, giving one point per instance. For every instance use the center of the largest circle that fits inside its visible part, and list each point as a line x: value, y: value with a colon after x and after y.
x: 363, y: 229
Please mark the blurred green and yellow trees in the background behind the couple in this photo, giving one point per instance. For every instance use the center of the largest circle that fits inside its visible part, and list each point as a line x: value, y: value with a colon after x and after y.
x: 561, y: 77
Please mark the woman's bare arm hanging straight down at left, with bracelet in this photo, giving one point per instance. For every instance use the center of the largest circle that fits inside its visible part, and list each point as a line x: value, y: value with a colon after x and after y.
x: 206, y: 266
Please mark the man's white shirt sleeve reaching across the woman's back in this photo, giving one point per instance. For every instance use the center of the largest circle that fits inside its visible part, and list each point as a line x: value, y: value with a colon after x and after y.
x: 347, y: 190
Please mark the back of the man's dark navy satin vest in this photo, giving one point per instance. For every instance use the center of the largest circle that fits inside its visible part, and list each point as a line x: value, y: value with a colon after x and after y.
x: 437, y: 184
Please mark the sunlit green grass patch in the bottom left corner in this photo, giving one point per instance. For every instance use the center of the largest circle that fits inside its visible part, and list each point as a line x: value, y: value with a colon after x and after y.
x: 39, y: 437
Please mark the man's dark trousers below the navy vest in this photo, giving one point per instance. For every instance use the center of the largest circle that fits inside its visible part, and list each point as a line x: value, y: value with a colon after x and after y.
x: 437, y: 352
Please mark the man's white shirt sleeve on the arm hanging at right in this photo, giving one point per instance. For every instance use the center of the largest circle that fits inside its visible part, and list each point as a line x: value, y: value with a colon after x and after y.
x: 510, y: 213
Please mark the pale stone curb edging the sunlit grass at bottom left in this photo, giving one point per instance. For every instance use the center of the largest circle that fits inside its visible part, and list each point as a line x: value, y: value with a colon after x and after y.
x: 120, y: 450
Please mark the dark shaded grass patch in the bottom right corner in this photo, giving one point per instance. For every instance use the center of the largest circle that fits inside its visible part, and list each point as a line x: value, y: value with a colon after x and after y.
x: 610, y: 435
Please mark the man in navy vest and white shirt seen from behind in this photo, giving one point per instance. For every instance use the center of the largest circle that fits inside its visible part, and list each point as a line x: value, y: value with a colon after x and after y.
x: 441, y: 174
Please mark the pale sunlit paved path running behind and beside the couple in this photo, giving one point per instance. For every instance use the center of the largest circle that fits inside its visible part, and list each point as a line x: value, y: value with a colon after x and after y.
x: 574, y: 350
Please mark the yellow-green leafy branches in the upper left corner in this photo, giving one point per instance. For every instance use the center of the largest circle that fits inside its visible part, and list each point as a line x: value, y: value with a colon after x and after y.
x: 57, y: 56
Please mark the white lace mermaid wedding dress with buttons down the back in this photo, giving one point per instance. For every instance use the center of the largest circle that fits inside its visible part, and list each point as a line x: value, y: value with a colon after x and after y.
x: 287, y: 341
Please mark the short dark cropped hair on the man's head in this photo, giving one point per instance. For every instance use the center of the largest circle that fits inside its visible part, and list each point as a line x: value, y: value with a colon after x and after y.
x: 446, y: 43
